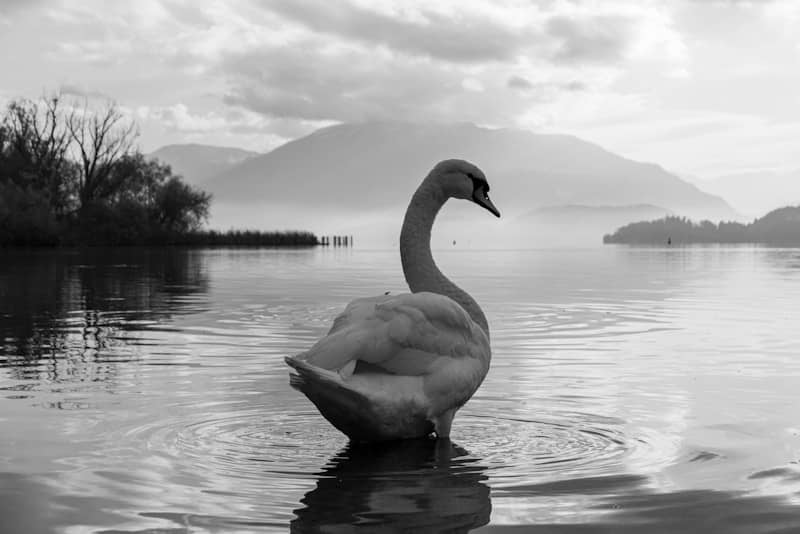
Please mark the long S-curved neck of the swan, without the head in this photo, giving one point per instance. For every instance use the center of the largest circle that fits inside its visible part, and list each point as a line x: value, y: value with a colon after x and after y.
x: 420, y: 270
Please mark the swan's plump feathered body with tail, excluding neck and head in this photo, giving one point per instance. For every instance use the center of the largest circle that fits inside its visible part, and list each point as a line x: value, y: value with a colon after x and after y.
x: 395, y: 366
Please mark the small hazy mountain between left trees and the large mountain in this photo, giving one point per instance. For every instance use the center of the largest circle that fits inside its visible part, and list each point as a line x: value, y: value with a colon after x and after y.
x: 197, y: 163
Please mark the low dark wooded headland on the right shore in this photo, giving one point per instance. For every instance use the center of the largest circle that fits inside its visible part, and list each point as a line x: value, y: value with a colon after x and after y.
x: 778, y: 227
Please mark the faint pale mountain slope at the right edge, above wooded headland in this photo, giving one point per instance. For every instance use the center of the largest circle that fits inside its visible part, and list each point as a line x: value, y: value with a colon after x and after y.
x: 756, y: 193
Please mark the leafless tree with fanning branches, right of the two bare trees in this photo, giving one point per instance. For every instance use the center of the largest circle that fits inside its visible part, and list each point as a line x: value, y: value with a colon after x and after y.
x: 100, y: 138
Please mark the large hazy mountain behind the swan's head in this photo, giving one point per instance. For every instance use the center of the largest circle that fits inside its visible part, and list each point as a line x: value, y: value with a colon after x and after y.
x: 375, y: 166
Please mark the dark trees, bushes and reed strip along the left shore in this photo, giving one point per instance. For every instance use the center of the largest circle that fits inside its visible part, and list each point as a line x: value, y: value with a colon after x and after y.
x: 70, y: 175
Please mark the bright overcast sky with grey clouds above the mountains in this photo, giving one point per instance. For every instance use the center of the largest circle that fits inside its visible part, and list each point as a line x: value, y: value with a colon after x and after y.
x: 701, y: 87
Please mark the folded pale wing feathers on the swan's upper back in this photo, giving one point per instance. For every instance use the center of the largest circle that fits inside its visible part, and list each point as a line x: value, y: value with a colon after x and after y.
x: 409, y: 334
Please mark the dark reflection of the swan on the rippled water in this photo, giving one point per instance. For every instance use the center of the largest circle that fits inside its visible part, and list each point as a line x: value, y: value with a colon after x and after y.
x: 424, y: 485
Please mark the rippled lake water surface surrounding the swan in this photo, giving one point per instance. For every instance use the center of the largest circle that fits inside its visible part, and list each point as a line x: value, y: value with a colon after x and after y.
x: 631, y: 390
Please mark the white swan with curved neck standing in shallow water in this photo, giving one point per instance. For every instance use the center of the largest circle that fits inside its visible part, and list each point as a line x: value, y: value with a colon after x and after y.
x: 399, y: 366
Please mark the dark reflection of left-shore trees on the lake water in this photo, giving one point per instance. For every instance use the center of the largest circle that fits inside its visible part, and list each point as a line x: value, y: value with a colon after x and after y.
x: 78, y: 304
